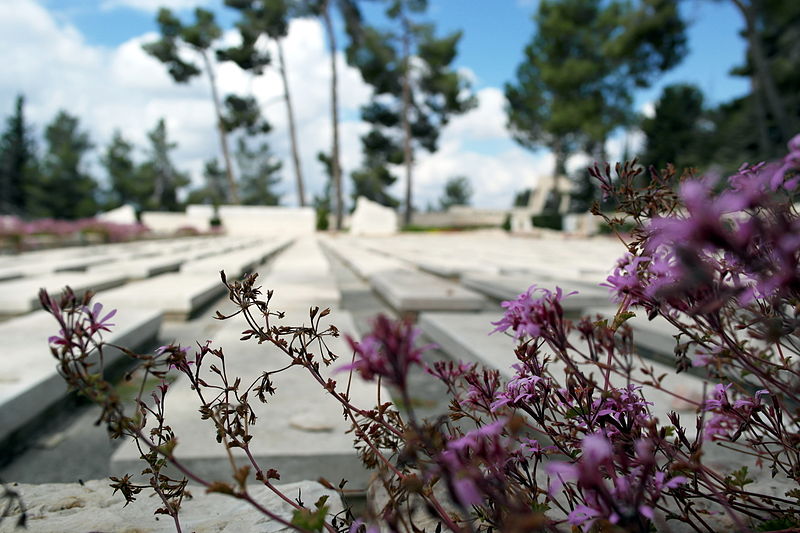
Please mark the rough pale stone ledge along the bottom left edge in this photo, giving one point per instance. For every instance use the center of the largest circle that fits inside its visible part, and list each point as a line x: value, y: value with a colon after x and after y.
x: 91, y: 506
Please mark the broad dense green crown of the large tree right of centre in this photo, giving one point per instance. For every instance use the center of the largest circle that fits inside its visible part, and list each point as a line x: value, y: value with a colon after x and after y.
x: 575, y: 84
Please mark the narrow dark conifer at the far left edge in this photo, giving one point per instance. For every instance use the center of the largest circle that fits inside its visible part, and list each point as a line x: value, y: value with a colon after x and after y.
x: 17, y: 160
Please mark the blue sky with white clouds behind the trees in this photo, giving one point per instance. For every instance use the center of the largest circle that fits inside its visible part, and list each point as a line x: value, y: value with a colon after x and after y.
x: 85, y: 56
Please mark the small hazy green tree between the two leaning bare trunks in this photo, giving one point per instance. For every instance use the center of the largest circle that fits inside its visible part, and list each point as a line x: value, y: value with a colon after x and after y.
x: 258, y: 174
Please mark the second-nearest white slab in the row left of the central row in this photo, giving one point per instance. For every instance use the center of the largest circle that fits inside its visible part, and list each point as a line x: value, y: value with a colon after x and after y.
x: 177, y: 295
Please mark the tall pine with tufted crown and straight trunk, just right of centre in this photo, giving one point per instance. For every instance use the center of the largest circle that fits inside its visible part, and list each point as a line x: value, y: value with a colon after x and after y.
x: 410, y: 70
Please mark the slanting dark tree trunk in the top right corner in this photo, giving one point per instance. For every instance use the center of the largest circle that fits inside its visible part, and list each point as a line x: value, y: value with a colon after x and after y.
x: 761, y: 69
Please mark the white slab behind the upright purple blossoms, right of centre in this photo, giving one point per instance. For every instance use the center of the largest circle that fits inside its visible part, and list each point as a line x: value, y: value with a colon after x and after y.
x: 509, y: 287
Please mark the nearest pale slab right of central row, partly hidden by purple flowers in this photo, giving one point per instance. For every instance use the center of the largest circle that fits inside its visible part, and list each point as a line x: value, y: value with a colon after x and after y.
x: 466, y: 337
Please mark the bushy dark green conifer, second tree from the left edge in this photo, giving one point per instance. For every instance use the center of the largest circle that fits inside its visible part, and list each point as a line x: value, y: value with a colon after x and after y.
x: 63, y: 187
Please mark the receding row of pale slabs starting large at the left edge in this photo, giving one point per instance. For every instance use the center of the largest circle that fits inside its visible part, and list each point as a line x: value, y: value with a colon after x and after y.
x: 30, y: 385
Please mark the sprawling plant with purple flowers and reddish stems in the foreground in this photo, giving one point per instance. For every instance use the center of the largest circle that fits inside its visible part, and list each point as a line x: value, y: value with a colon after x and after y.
x: 571, y: 439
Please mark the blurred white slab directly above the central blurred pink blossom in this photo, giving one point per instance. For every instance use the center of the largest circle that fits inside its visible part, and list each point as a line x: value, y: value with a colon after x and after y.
x: 410, y: 291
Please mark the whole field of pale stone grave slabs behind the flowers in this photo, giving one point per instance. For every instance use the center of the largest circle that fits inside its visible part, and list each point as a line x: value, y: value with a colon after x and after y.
x: 450, y: 284
